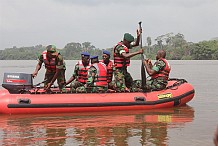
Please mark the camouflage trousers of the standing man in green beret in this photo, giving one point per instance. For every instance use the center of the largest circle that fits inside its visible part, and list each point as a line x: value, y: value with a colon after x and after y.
x: 122, y: 79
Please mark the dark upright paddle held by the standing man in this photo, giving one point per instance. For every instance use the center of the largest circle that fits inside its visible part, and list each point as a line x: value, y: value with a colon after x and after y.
x: 143, y: 74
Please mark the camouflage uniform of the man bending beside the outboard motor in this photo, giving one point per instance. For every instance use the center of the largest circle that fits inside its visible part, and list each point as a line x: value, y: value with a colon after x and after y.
x: 60, y: 64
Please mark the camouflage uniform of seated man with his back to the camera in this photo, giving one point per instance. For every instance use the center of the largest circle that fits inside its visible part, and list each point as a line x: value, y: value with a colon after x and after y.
x: 90, y: 82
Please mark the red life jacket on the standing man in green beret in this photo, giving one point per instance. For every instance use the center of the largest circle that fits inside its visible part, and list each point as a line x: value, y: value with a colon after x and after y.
x: 119, y: 61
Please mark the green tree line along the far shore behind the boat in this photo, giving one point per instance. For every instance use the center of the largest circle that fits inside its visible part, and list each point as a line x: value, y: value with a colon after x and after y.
x: 176, y: 46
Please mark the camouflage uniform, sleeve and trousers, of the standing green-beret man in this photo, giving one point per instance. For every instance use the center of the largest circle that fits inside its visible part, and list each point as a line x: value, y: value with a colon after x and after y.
x: 122, y: 77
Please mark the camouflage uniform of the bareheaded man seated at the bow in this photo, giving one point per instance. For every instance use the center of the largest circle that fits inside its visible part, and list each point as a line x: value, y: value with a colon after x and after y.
x: 157, y: 83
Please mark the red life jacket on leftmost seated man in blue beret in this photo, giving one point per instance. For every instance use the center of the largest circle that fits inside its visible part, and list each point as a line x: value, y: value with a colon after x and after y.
x: 83, y: 72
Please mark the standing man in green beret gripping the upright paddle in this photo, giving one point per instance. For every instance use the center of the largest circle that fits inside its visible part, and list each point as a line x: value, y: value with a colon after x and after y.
x: 122, y: 79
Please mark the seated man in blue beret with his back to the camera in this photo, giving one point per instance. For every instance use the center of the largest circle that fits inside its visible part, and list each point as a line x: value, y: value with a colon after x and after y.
x: 97, y: 76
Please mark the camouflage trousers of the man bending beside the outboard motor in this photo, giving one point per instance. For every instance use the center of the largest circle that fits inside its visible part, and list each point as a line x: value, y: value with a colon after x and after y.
x: 60, y: 79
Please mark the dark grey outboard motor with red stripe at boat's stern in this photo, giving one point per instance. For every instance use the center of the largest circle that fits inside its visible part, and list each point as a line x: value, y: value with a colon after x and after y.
x: 17, y: 82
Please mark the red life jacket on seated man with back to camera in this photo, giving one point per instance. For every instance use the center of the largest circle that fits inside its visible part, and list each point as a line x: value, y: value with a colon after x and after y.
x: 101, y: 76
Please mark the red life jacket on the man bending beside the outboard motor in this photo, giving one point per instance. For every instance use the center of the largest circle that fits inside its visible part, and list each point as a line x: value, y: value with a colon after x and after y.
x: 50, y: 65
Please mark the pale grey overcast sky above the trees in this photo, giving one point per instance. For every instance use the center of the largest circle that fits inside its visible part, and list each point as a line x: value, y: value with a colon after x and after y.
x: 103, y: 22
